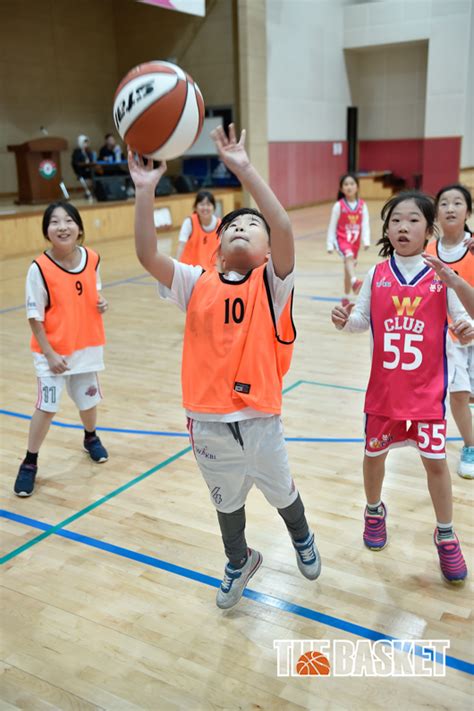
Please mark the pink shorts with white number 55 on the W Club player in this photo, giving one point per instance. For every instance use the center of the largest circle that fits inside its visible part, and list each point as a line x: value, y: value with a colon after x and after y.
x: 382, y: 433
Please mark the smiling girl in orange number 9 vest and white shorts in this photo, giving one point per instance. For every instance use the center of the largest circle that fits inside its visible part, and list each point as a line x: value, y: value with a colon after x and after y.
x: 64, y: 308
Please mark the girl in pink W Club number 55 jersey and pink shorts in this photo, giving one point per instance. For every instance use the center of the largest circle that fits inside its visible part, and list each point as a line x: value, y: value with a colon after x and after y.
x: 406, y: 306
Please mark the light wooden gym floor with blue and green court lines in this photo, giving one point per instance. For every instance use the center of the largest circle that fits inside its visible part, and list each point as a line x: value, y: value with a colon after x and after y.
x: 114, y: 607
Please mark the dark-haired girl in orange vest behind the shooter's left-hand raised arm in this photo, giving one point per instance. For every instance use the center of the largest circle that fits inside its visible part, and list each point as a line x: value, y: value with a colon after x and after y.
x: 198, y: 238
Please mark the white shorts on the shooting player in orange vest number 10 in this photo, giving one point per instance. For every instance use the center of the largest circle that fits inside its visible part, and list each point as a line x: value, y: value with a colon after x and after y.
x: 230, y: 470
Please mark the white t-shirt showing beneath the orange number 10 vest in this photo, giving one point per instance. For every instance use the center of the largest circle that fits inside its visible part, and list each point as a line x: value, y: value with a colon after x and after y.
x: 184, y: 279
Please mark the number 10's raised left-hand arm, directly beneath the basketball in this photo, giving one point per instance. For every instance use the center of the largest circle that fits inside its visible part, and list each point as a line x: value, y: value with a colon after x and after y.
x: 146, y: 179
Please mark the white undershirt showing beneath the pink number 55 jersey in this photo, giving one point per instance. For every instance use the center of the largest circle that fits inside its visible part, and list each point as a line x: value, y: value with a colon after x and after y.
x: 359, y: 320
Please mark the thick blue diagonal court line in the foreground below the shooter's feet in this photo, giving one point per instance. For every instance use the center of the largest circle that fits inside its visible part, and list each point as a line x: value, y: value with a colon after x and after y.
x: 262, y: 598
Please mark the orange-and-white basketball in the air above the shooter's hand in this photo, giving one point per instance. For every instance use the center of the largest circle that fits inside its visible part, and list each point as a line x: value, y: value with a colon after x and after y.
x: 158, y: 110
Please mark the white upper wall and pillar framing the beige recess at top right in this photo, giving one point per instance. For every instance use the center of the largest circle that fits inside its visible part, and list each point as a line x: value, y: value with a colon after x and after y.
x: 447, y: 26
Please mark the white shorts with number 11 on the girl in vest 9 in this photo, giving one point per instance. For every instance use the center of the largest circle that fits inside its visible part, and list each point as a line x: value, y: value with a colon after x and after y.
x: 83, y: 389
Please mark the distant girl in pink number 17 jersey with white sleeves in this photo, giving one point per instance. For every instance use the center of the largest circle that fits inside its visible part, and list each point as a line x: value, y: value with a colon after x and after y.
x: 349, y: 225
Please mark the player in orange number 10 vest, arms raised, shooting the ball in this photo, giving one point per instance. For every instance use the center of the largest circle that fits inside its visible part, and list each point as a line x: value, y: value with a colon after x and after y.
x: 237, y: 347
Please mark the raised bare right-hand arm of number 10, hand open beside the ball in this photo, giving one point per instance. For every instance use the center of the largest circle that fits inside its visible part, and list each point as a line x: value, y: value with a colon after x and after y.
x: 234, y: 155
